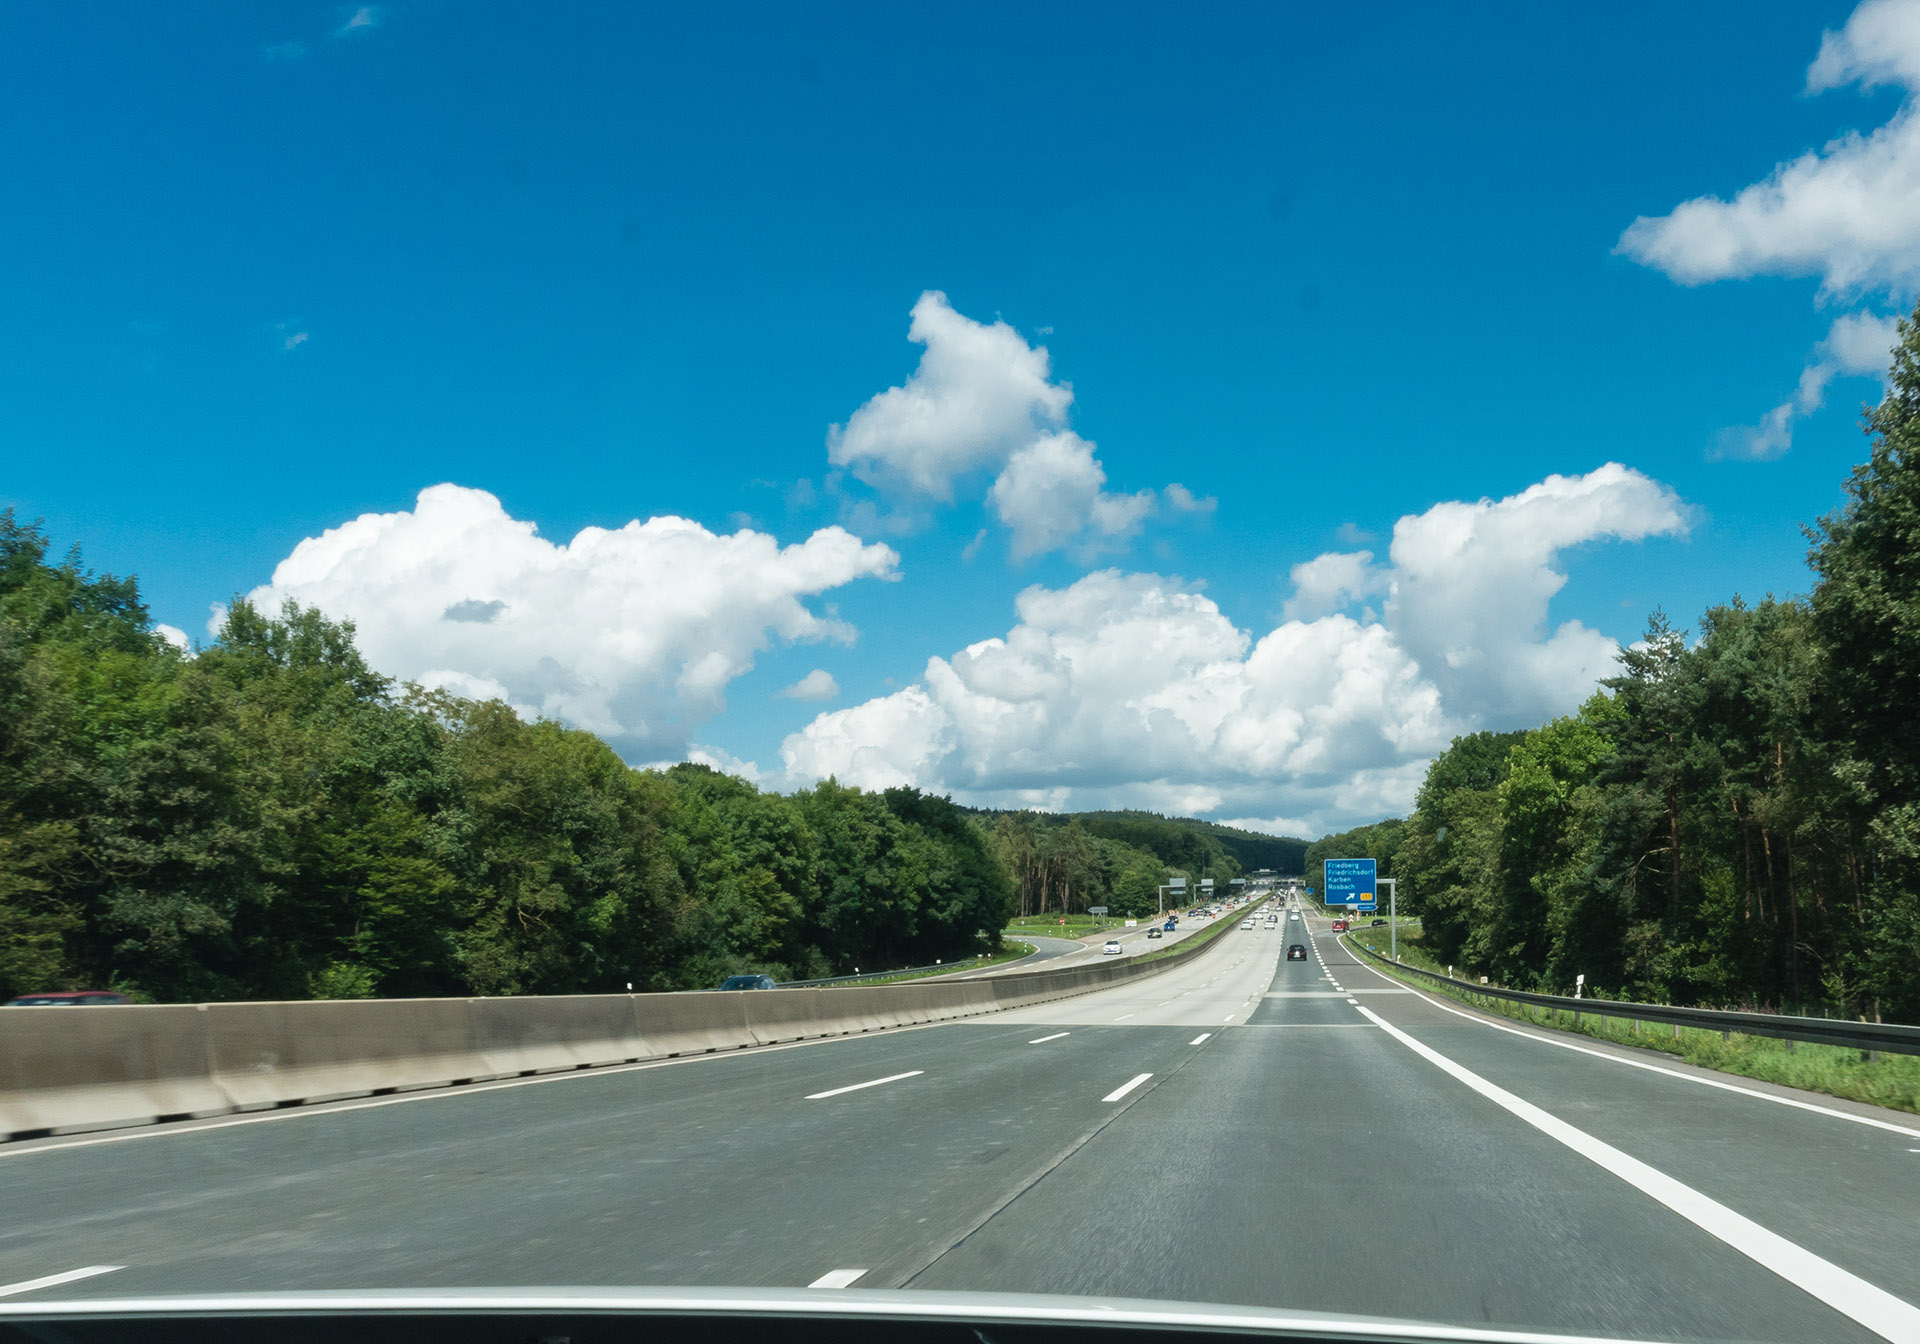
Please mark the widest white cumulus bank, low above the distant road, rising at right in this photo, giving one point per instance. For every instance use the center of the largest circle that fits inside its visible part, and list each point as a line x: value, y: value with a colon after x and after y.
x: 1136, y: 688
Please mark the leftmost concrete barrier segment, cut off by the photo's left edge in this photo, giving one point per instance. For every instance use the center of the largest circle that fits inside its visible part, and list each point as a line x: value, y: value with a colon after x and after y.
x: 99, y: 1068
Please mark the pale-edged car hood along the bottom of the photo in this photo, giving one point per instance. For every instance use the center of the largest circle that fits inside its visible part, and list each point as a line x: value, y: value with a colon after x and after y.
x: 911, y: 1308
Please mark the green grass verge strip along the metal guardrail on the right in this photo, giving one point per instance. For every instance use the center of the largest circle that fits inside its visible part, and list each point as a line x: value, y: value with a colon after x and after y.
x: 1890, y: 1080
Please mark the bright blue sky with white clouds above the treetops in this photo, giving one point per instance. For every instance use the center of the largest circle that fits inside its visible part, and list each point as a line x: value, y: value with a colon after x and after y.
x: 272, y: 268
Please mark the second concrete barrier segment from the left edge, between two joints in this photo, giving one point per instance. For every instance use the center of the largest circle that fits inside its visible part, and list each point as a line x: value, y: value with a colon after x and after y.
x: 279, y: 1055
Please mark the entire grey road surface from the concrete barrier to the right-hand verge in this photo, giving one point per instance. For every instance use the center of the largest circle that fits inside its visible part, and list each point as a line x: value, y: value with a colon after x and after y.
x: 1285, y: 1151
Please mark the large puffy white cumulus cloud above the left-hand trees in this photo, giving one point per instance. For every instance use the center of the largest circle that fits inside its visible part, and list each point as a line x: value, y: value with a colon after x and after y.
x: 631, y: 633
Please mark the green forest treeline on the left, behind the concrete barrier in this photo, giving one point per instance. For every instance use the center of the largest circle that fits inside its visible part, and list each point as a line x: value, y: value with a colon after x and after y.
x: 272, y: 819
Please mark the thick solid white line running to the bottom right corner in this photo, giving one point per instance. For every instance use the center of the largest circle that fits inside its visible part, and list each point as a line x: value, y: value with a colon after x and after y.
x: 1860, y: 1301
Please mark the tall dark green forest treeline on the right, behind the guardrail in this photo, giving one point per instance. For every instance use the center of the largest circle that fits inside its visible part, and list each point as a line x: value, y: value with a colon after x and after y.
x: 1735, y: 819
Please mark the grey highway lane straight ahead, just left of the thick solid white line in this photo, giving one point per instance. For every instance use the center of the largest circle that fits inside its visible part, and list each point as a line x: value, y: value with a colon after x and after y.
x: 1259, y: 1191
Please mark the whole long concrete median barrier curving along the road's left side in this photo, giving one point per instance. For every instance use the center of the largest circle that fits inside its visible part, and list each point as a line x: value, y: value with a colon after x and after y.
x: 99, y: 1068
